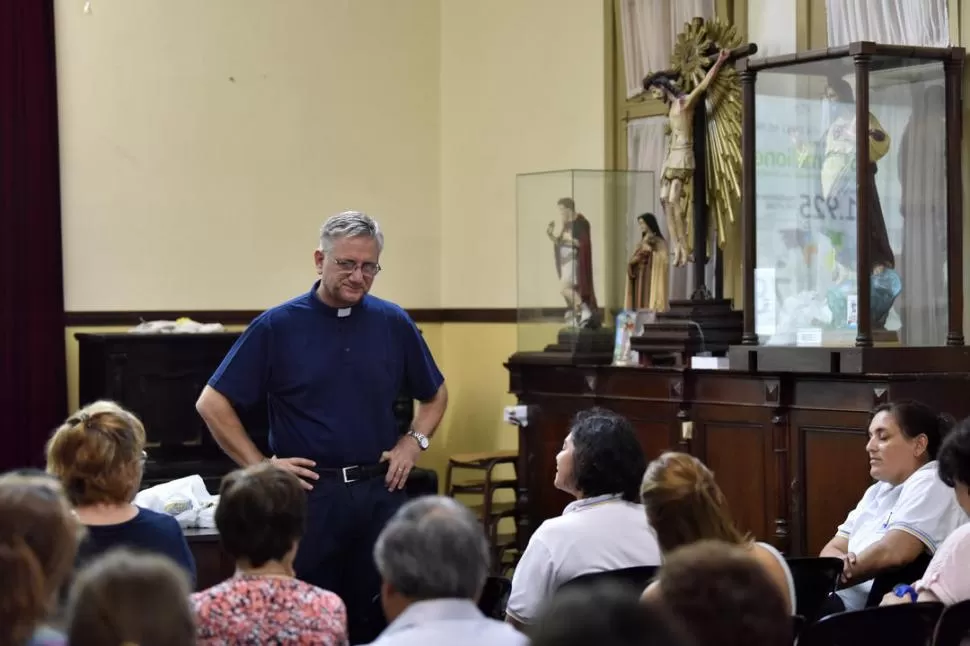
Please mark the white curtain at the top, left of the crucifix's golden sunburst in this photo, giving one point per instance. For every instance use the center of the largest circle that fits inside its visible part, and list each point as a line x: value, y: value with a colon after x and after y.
x: 649, y: 31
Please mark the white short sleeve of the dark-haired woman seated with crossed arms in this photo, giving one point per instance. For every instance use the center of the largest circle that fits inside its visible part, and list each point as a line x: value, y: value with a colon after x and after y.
x: 926, y: 508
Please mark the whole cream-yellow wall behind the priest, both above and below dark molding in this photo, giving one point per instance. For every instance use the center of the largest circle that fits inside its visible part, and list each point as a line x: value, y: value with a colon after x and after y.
x: 184, y: 189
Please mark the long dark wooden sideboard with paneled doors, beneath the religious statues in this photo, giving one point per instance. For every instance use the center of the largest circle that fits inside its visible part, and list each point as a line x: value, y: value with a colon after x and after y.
x: 788, y: 449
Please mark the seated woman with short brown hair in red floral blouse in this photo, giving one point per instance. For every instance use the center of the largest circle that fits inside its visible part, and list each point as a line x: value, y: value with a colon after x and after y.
x: 261, y: 518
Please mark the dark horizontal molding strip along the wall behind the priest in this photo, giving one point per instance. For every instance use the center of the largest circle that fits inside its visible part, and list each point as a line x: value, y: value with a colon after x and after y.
x: 243, y: 317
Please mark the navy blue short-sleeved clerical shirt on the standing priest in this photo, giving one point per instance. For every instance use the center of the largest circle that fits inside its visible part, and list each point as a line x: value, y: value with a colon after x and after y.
x: 329, y: 377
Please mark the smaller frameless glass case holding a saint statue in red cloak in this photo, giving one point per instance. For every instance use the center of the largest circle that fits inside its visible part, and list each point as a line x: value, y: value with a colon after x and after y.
x: 576, y: 233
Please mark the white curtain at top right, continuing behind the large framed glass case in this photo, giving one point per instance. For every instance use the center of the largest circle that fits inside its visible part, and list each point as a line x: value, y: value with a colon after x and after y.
x: 911, y: 179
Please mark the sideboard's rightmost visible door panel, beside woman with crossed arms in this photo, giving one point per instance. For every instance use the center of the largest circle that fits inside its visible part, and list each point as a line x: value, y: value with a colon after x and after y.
x: 832, y: 471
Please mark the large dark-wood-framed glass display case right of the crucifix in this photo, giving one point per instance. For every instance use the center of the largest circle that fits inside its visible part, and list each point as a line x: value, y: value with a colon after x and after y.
x: 852, y: 230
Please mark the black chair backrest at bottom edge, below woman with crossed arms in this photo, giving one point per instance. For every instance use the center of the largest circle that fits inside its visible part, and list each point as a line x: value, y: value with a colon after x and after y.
x: 909, y: 624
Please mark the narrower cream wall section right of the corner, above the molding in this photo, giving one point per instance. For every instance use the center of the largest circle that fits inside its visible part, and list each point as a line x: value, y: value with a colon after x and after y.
x: 522, y: 90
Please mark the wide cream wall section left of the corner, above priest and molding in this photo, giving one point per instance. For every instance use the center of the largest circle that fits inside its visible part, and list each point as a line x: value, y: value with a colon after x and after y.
x: 203, y: 143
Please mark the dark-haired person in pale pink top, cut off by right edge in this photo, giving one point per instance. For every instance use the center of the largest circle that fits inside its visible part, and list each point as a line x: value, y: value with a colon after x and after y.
x: 947, y: 578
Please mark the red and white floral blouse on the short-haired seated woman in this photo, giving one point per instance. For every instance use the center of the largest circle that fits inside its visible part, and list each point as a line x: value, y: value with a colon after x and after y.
x: 252, y: 609
